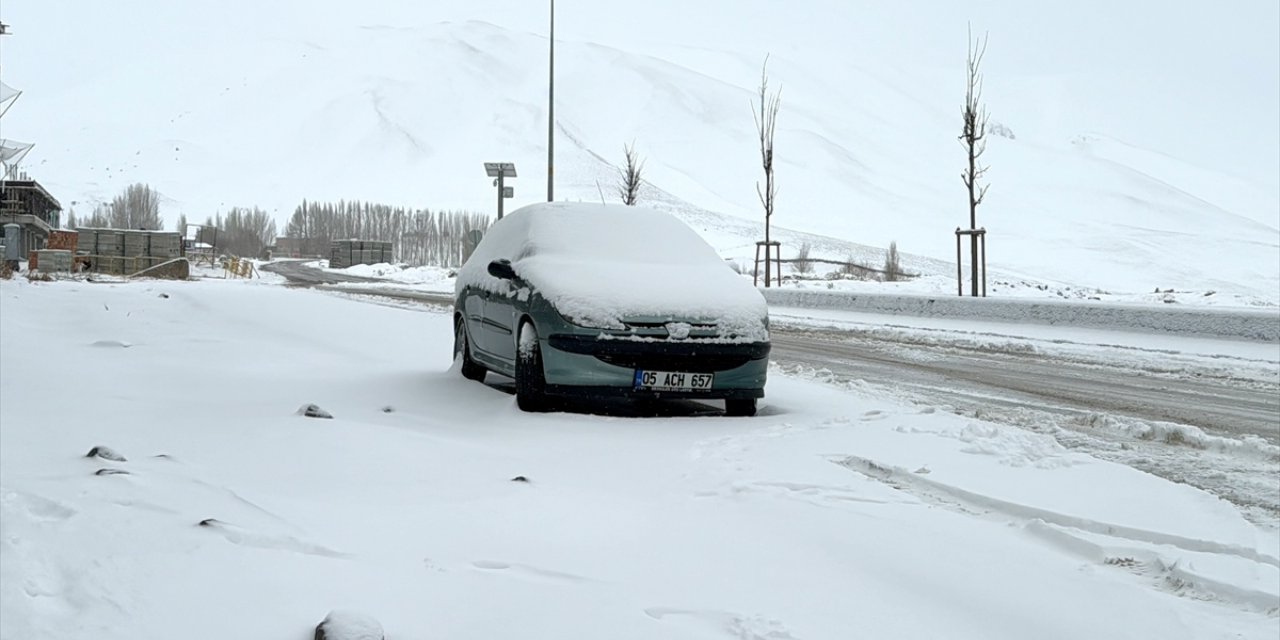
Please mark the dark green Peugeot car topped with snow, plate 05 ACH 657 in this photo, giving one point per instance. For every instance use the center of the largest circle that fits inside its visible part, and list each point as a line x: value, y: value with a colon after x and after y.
x: 607, y: 300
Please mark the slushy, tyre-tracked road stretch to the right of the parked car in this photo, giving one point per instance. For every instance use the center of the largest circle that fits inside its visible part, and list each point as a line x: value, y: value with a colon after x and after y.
x: 1199, y: 412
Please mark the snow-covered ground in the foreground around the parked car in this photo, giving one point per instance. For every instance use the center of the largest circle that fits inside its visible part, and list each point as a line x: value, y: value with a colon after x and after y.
x: 834, y: 514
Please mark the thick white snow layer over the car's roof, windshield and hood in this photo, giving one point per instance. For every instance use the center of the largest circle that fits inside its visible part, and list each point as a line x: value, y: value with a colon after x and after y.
x: 601, y: 264
